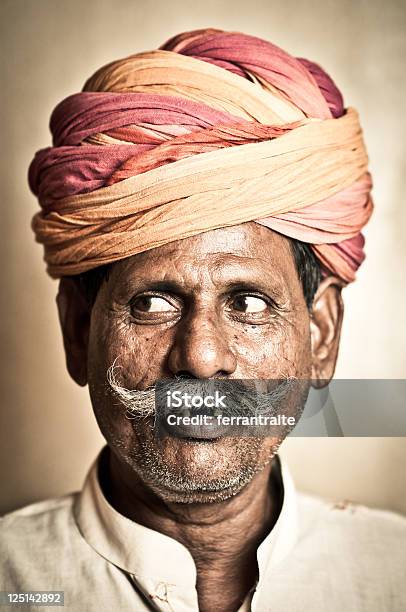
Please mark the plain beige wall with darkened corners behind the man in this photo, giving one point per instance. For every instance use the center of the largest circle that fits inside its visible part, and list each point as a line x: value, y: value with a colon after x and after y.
x: 48, y: 435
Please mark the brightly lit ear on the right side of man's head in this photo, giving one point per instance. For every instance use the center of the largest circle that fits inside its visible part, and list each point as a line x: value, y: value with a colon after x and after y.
x: 325, y: 328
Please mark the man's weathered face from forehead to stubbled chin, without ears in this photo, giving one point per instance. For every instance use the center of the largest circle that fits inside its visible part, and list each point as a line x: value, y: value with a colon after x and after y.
x: 224, y: 304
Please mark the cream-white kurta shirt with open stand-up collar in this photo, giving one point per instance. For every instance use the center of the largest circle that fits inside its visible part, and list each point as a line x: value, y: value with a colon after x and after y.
x: 319, y: 557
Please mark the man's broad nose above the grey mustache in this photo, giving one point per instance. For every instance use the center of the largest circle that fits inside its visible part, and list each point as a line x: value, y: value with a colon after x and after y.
x: 201, y: 348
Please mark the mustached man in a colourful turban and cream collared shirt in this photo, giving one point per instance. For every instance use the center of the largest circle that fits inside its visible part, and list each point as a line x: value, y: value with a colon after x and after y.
x: 202, y: 206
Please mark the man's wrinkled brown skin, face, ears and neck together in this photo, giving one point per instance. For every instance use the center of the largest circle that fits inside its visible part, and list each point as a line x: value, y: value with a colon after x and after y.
x: 226, y: 303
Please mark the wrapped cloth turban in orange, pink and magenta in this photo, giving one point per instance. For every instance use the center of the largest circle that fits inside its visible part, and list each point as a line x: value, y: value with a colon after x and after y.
x: 211, y: 130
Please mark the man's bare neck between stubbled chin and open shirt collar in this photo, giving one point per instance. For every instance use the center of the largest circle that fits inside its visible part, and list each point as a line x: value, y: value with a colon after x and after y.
x: 222, y: 537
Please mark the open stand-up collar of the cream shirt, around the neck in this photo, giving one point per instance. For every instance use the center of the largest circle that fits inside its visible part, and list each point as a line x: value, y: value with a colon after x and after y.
x: 147, y: 554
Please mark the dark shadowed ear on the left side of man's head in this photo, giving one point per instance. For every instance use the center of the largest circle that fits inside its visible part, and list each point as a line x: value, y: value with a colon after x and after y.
x: 74, y: 317
